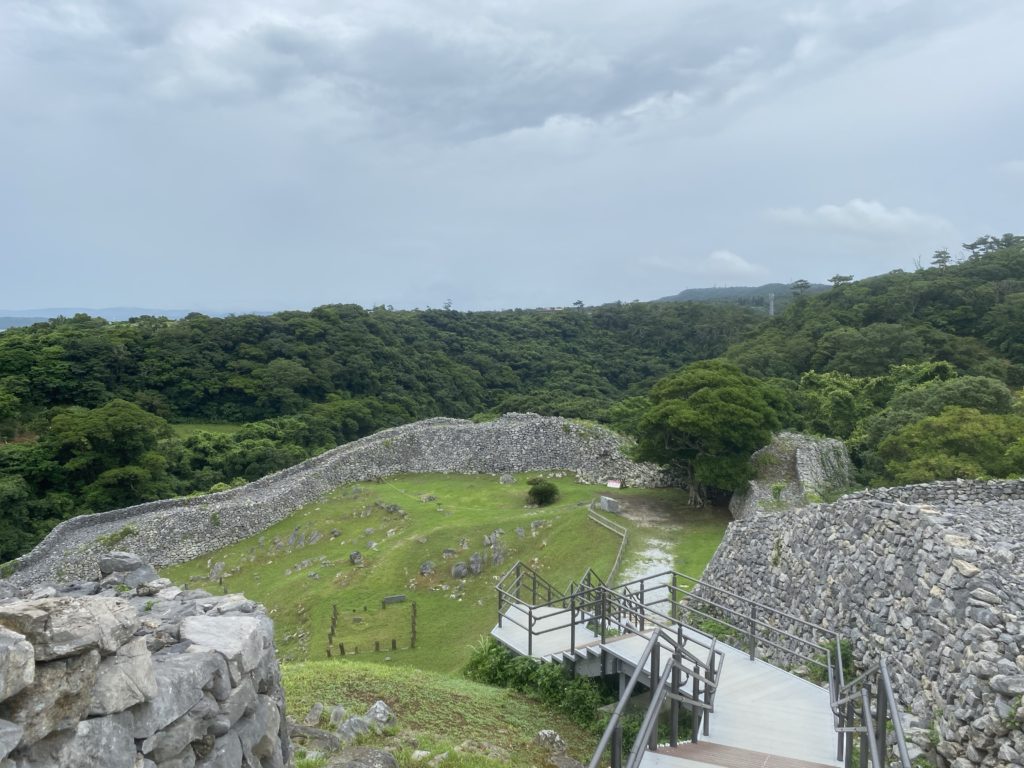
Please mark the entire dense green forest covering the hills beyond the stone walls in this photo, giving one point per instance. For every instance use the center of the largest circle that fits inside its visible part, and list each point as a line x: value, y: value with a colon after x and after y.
x: 920, y: 372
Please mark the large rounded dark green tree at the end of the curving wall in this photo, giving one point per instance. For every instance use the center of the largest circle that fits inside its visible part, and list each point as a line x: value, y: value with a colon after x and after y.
x: 706, y: 421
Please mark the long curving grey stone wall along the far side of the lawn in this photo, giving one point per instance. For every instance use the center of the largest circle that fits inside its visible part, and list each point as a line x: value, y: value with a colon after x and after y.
x: 178, y: 530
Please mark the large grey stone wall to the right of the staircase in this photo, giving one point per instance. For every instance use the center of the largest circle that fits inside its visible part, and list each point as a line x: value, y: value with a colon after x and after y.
x: 931, y: 576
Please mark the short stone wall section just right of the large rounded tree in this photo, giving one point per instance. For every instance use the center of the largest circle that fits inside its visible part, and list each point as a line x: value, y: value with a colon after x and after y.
x: 793, y: 472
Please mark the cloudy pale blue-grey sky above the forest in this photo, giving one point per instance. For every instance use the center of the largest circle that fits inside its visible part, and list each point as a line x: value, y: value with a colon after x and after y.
x: 284, y: 154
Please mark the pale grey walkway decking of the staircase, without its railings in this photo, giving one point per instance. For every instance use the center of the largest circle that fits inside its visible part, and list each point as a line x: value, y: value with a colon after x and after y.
x: 762, y: 713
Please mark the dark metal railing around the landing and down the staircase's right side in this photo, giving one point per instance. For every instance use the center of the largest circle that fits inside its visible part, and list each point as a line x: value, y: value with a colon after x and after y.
x: 666, y: 604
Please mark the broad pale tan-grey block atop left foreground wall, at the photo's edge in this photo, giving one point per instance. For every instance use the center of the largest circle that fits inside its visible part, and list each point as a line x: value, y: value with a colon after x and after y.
x: 62, y: 627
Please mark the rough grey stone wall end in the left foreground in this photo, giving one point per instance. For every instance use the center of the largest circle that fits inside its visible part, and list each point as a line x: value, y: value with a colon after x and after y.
x: 130, y: 672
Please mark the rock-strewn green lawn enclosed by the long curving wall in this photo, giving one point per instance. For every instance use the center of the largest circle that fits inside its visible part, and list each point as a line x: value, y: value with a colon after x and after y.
x: 399, y: 525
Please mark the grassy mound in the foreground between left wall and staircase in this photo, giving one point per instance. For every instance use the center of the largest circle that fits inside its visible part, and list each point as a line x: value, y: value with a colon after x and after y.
x: 440, y: 712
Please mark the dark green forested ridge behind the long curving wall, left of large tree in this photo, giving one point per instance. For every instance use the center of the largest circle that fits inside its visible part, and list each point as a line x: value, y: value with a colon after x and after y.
x: 84, y: 403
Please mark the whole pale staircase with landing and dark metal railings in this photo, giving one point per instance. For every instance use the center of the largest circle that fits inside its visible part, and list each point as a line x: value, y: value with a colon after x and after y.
x: 746, y: 712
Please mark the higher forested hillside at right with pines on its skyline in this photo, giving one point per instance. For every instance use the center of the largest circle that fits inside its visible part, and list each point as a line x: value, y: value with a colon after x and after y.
x: 969, y: 314
